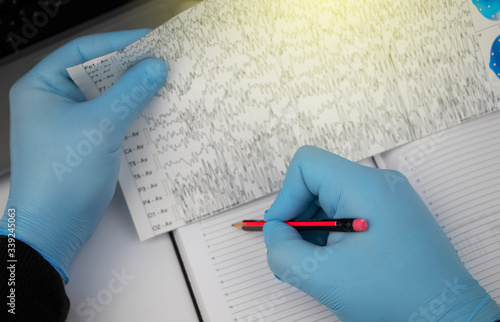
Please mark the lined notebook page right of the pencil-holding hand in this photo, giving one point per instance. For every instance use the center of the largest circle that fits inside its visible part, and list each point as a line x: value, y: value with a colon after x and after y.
x: 457, y: 173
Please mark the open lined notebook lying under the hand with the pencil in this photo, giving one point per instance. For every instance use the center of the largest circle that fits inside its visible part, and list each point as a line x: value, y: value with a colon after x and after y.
x: 457, y: 174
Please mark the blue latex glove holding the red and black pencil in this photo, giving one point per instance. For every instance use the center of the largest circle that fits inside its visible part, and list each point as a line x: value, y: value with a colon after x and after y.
x: 403, y: 268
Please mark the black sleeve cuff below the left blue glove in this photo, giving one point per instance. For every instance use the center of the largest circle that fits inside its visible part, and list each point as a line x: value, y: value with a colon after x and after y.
x: 29, y: 286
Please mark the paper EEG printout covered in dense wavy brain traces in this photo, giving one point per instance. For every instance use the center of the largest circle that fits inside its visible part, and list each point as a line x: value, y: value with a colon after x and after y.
x: 251, y: 81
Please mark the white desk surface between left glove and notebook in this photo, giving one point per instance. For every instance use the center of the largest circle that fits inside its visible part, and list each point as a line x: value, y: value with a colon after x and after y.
x: 156, y: 289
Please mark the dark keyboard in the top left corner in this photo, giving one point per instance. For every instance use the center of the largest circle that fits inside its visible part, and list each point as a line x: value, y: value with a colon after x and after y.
x: 25, y: 22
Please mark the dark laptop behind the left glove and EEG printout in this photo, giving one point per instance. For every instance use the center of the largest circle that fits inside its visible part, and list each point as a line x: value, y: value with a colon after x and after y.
x: 31, y: 29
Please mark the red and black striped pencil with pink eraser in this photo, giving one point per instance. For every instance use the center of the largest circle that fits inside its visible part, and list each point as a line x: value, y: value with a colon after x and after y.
x: 338, y: 225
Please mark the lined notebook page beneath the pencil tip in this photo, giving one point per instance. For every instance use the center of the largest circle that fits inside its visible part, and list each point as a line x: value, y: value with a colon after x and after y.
x: 230, y: 277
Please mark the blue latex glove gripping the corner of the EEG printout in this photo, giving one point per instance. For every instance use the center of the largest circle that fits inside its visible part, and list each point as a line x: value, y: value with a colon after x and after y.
x: 65, y: 151
